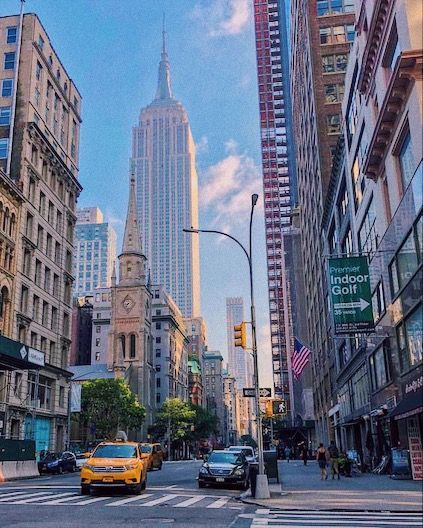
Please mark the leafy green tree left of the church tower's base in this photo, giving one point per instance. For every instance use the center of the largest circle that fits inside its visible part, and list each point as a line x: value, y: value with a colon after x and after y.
x: 108, y: 405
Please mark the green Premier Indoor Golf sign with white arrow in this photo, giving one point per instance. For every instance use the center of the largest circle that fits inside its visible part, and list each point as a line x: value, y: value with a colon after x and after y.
x: 351, y: 295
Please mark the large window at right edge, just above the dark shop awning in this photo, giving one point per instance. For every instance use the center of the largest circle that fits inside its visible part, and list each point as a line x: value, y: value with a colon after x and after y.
x: 409, y: 337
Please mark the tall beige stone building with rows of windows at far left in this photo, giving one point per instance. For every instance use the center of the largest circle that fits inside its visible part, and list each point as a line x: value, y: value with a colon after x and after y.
x: 41, y: 135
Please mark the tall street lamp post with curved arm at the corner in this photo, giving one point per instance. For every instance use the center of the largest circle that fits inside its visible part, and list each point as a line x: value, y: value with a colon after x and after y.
x: 262, y: 486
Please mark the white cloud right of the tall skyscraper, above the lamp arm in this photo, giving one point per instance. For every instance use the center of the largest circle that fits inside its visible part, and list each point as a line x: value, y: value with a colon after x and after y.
x: 227, y: 187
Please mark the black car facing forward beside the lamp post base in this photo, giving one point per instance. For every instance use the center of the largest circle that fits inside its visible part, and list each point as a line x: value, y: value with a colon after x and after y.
x: 224, y: 467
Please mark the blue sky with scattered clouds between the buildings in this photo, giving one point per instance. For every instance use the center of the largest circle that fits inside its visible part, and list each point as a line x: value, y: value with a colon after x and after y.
x: 111, y: 49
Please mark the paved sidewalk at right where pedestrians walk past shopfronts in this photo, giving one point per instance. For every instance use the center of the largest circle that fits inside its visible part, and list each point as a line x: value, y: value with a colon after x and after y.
x: 301, y: 488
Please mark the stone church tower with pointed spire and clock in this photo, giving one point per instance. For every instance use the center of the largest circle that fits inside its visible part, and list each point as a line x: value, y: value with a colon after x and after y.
x: 130, y: 342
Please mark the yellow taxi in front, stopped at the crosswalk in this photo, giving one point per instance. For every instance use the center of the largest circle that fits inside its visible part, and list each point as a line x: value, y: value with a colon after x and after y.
x: 114, y: 464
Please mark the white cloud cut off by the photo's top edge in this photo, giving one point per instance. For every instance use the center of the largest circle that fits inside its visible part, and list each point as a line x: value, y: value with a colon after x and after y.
x: 223, y: 17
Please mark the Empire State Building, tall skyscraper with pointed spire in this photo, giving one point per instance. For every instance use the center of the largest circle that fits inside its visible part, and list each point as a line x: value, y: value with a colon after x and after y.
x: 163, y: 160
